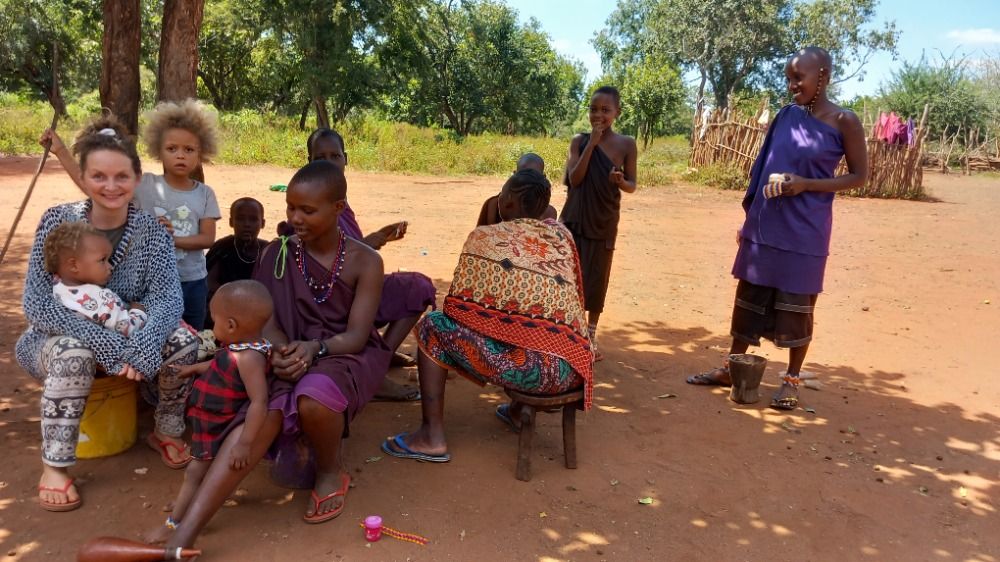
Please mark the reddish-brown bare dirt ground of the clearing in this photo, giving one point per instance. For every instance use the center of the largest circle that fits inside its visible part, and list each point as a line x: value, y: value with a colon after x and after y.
x: 898, y: 458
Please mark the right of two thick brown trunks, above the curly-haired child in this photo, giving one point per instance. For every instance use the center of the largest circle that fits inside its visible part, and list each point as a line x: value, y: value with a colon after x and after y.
x: 177, y: 75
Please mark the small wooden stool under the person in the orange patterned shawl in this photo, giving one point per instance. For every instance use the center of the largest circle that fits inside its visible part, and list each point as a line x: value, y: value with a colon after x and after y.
x: 569, y: 402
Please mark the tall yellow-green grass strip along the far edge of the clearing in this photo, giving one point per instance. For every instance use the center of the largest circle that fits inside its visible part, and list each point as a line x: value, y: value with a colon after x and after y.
x: 251, y: 137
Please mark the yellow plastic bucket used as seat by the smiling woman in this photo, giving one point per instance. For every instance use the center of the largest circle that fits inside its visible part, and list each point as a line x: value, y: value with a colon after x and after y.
x: 109, y: 425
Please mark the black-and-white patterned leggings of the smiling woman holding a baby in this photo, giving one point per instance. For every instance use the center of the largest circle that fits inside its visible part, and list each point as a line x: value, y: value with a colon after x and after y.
x: 66, y: 368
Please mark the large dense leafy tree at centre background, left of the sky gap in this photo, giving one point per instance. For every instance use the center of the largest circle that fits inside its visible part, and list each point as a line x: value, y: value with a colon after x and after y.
x: 483, y: 71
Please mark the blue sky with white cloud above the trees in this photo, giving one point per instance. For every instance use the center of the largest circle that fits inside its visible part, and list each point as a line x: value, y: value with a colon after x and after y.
x: 966, y: 28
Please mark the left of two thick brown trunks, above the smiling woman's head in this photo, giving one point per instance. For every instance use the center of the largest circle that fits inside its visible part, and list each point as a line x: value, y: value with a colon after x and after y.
x: 120, y: 62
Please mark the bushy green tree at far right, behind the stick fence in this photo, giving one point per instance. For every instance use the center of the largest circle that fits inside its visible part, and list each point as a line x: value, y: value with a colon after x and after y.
x: 947, y: 87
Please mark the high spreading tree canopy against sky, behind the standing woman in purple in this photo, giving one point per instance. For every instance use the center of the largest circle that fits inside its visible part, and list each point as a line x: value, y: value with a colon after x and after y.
x: 737, y: 44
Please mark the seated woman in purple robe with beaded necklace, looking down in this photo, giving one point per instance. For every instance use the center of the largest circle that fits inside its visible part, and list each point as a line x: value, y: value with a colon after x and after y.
x: 329, y: 359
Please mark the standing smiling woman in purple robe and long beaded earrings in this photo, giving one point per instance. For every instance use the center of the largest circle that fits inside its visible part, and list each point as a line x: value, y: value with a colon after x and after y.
x: 785, y: 239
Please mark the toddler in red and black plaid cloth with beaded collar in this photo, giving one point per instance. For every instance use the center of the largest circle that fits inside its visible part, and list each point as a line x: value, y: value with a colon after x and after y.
x: 227, y: 407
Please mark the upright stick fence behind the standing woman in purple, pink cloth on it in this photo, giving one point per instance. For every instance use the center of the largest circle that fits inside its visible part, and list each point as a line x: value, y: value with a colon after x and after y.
x: 894, y: 170
